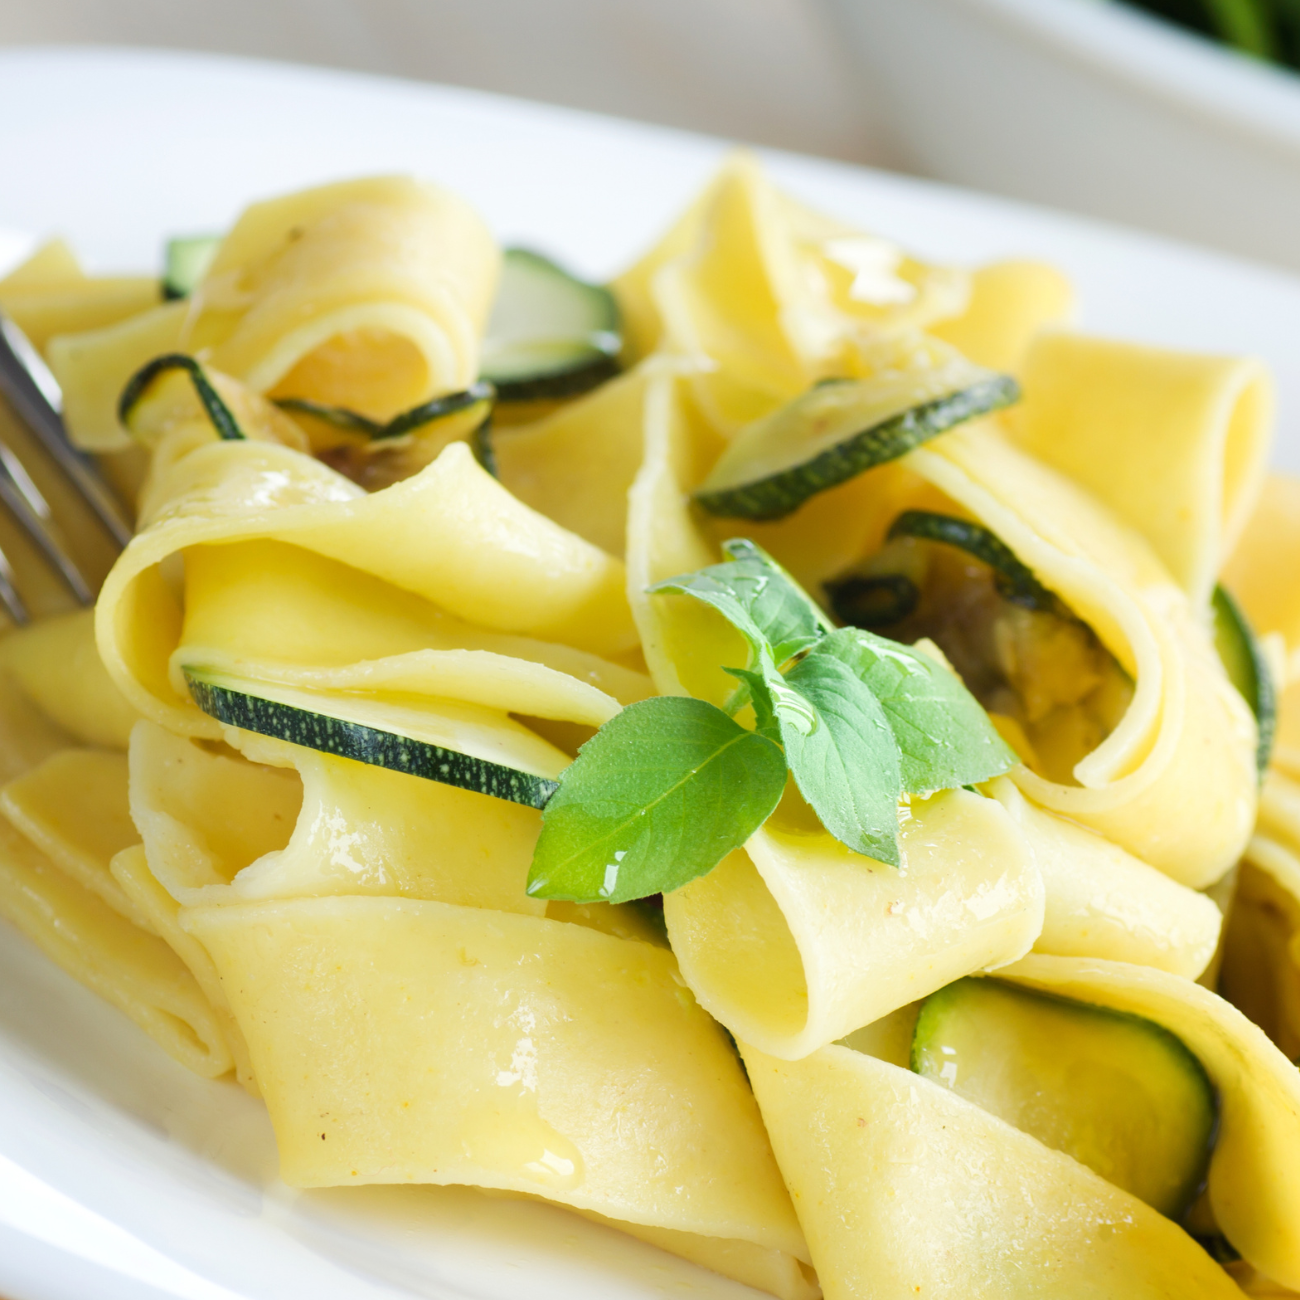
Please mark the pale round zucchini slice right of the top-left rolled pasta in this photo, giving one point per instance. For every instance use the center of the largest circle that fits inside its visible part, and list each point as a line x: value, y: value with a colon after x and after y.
x: 551, y: 335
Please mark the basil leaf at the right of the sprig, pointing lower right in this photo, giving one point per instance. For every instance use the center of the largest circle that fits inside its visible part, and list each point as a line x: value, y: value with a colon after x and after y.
x: 944, y: 738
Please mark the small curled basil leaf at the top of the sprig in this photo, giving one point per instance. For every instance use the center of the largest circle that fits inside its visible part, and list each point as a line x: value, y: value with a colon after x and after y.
x: 759, y: 599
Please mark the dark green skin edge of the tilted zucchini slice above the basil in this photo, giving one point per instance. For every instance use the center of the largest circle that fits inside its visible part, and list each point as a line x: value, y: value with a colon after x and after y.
x: 783, y: 493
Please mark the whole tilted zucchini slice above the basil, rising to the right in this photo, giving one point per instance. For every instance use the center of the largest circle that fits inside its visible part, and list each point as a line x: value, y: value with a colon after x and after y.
x: 842, y: 428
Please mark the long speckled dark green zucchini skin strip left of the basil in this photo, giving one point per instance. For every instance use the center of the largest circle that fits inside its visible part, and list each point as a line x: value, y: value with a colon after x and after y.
x: 370, y: 746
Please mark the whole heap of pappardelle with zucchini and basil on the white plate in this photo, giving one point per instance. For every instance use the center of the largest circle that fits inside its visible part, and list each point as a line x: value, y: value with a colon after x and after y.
x: 788, y: 755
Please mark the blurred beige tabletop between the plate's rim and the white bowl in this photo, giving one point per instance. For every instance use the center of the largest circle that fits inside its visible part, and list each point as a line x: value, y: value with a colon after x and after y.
x: 772, y: 72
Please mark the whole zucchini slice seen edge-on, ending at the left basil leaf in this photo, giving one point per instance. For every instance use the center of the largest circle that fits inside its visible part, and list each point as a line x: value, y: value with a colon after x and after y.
x: 456, y: 744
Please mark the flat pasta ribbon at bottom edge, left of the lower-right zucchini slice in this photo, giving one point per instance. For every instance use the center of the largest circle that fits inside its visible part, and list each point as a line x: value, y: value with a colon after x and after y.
x: 907, y: 1189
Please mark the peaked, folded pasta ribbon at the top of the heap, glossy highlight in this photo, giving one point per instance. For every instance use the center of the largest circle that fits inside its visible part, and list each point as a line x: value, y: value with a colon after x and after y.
x: 770, y: 296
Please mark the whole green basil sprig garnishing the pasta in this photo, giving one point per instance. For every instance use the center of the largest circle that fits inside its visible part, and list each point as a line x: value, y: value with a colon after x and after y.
x: 671, y: 786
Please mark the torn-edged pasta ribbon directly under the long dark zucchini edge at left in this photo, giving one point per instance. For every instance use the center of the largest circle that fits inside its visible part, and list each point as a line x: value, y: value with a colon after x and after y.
x: 341, y: 829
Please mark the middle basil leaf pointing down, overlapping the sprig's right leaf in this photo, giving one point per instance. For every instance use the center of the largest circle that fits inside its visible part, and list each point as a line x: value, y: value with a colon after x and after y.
x: 842, y: 752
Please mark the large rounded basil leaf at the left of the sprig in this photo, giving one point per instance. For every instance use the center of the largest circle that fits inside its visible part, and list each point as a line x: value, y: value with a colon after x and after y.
x: 660, y: 796
